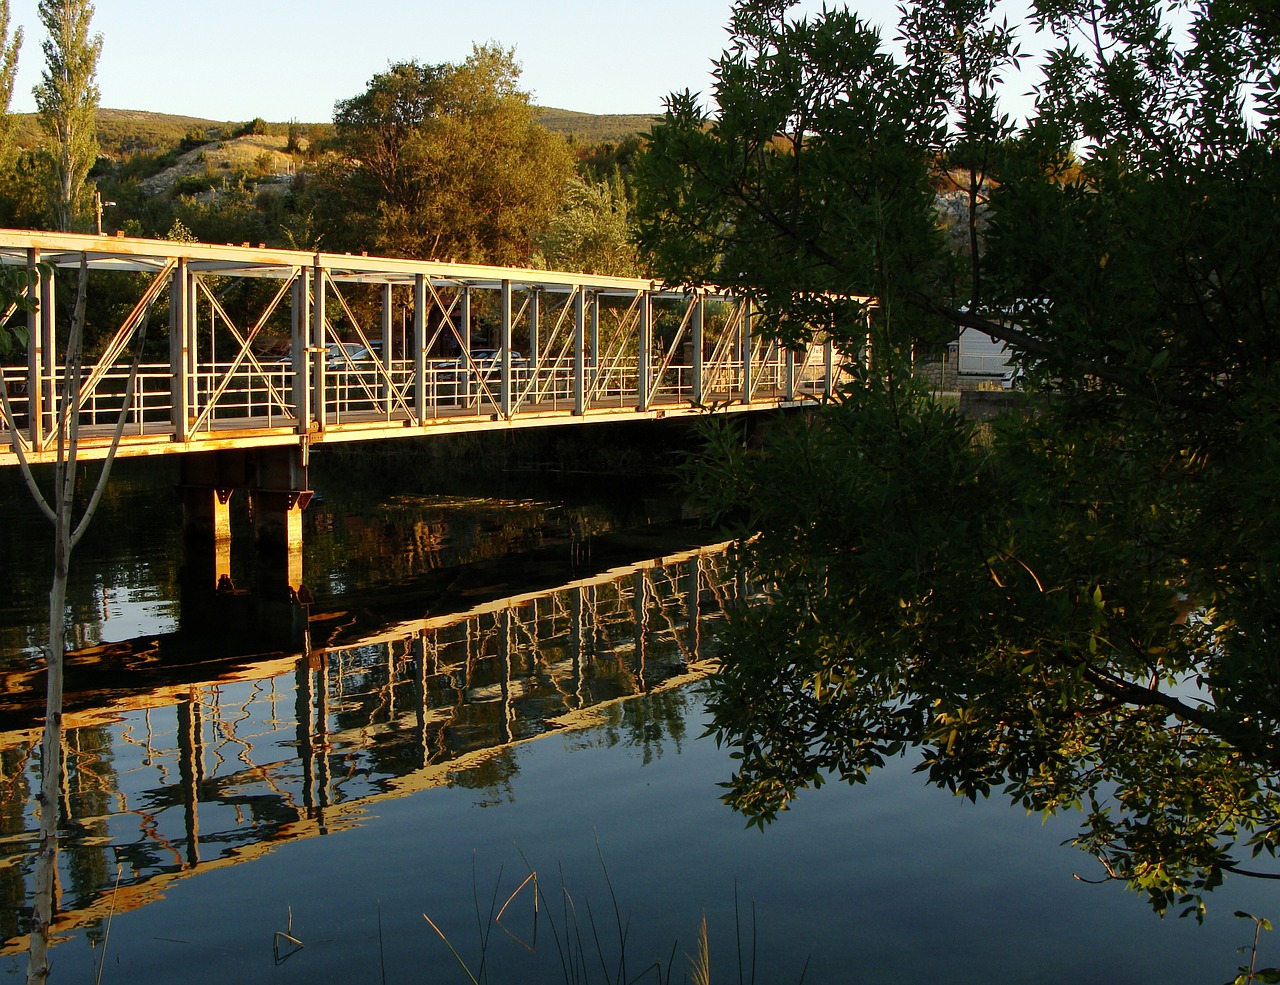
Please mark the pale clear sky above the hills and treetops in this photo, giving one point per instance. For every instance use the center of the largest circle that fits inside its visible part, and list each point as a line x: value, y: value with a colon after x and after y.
x: 232, y: 61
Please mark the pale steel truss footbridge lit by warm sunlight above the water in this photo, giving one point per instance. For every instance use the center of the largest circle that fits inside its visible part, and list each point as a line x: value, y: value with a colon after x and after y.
x: 380, y: 349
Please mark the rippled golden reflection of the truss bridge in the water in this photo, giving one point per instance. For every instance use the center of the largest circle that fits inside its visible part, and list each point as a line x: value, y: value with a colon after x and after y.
x: 164, y: 781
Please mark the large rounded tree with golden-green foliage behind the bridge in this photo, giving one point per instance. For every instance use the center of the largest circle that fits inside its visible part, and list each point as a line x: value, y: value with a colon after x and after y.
x: 444, y: 162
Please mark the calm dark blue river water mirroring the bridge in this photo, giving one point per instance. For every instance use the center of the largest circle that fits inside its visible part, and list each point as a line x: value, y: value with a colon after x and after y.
x: 460, y: 723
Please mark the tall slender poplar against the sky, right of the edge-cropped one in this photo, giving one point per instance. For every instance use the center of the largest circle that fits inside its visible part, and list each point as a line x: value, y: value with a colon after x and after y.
x: 67, y: 104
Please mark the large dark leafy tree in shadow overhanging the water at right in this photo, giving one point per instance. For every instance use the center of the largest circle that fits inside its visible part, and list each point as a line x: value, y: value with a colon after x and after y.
x: 1075, y: 606
